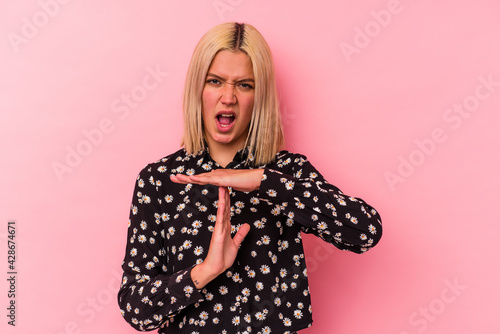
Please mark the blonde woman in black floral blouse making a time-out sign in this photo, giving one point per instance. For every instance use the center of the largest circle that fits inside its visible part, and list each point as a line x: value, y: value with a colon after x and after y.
x: 214, y: 239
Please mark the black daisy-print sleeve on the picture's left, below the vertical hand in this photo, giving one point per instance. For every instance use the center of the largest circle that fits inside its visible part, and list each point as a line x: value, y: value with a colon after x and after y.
x: 149, y: 295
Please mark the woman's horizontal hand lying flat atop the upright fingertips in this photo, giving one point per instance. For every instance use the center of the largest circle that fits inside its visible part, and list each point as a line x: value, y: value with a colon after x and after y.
x: 238, y: 179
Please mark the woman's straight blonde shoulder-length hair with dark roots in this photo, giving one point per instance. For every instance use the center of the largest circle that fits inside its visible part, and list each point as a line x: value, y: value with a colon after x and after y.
x: 265, y: 135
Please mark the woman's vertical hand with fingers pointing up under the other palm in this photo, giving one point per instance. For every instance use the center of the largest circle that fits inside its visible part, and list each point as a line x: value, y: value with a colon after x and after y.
x: 223, y: 249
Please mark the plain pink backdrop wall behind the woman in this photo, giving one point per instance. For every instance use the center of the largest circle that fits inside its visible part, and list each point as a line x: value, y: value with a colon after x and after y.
x: 368, y: 90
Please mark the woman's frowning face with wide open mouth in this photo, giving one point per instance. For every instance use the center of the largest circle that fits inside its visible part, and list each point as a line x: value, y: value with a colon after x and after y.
x: 228, y: 98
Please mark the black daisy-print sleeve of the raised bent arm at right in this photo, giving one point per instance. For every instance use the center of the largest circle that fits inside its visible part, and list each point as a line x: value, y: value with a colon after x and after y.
x: 305, y: 197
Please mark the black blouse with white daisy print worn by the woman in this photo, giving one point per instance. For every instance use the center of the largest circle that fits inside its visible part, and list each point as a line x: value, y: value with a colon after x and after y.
x: 266, y: 290
